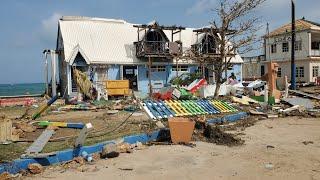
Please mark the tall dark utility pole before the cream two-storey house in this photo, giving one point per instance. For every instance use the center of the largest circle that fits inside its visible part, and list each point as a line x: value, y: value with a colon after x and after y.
x: 293, y: 39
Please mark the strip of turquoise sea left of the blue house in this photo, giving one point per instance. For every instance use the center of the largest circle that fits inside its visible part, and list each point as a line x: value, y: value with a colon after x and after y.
x: 16, y: 89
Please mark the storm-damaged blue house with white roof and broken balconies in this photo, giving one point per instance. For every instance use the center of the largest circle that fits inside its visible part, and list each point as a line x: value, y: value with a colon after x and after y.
x: 109, y: 49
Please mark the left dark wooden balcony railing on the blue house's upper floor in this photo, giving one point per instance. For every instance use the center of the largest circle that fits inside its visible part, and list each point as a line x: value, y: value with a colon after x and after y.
x: 156, y: 48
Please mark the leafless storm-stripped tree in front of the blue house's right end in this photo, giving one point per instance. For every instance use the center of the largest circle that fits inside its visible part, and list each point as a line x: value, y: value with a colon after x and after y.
x: 234, y: 29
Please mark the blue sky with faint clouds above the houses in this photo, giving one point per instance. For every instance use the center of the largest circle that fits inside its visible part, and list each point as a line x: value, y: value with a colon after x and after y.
x: 29, y: 27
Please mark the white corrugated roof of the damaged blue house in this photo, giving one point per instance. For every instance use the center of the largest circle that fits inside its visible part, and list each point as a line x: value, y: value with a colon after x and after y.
x: 108, y: 41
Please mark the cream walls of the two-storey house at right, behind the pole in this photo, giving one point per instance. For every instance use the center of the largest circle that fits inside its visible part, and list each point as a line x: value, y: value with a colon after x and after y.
x: 306, y: 56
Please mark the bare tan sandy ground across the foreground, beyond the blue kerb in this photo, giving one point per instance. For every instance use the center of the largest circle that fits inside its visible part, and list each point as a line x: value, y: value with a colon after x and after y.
x: 289, y: 159
